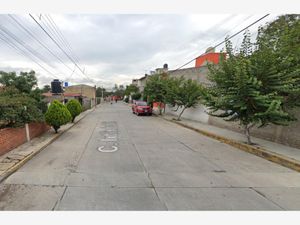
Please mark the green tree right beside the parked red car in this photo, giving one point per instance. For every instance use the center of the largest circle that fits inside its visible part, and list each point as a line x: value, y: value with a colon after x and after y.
x: 156, y: 89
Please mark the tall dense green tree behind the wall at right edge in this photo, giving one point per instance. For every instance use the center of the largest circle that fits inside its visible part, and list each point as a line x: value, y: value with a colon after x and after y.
x: 276, y: 61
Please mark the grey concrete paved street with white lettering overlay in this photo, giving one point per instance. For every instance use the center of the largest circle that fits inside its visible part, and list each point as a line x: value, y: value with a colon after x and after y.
x: 115, y: 160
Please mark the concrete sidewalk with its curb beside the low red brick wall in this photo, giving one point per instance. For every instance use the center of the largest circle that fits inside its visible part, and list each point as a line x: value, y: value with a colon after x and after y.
x: 17, y: 157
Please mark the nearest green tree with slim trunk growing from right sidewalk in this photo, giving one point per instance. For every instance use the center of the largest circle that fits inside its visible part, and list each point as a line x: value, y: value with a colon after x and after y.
x: 236, y: 92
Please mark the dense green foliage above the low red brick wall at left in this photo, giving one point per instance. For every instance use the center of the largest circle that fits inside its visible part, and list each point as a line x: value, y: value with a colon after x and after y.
x: 17, y: 108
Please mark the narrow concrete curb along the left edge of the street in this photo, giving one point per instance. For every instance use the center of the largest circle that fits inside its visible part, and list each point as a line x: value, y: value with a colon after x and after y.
x: 19, y: 164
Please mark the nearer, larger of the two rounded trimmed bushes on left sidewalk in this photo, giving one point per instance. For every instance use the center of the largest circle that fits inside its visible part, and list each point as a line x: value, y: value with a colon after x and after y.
x: 57, y: 115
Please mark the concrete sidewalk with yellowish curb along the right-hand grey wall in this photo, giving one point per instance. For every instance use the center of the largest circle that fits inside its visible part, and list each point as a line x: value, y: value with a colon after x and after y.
x: 275, y: 152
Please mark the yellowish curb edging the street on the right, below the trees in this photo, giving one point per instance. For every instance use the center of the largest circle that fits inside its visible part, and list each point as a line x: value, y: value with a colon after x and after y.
x: 261, y: 152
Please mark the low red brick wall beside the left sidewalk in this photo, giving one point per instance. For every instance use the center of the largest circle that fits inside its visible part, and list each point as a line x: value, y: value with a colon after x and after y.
x: 11, y: 138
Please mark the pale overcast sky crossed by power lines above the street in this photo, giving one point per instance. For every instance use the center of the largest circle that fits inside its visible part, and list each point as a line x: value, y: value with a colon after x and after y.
x: 113, y: 48
